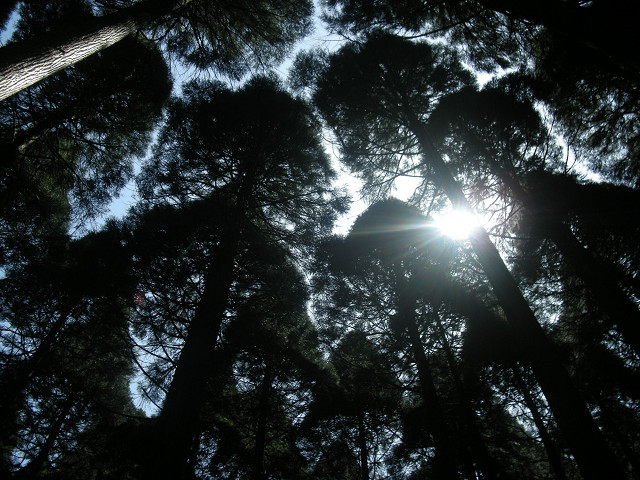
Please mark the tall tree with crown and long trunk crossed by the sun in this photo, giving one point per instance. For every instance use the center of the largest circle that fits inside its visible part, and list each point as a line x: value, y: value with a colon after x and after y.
x: 396, y: 107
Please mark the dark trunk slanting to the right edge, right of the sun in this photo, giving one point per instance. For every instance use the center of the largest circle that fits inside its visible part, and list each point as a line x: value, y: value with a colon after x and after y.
x: 609, y: 297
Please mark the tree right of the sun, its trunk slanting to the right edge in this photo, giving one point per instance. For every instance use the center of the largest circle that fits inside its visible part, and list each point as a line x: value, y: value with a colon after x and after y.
x: 491, y: 134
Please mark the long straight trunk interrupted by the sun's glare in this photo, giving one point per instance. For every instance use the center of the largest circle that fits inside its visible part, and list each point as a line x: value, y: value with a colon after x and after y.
x: 592, y: 453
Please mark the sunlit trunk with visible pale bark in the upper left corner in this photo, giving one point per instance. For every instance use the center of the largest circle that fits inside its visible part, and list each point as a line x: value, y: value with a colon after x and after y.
x: 25, y: 63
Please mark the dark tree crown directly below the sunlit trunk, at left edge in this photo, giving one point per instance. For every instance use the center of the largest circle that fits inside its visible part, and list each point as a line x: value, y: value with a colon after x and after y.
x: 69, y: 143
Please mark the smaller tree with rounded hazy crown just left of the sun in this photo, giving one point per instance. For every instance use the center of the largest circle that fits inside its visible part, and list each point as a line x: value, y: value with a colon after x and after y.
x: 379, y: 241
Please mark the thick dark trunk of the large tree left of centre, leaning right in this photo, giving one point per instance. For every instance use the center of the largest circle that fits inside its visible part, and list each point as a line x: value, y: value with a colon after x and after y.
x: 178, y: 421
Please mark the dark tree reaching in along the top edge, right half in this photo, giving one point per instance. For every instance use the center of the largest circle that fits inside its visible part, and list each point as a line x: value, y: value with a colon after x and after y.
x: 496, y: 31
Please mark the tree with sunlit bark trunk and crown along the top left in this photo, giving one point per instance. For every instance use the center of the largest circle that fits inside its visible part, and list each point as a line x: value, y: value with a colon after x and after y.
x: 227, y: 37
